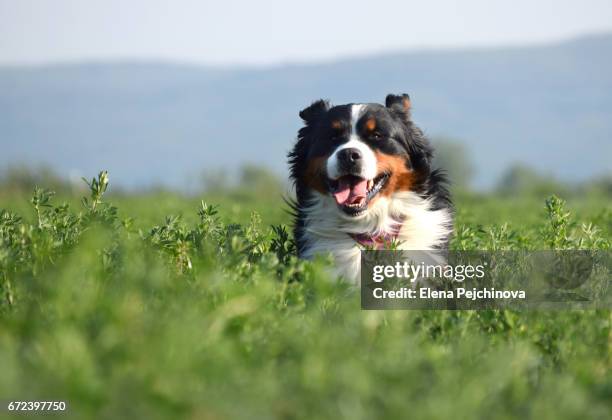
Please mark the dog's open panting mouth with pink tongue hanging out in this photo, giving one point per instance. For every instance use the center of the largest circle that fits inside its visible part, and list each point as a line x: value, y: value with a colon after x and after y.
x: 353, y: 193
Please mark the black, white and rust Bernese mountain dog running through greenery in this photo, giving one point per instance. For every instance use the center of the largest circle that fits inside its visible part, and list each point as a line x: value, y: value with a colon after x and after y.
x: 363, y: 179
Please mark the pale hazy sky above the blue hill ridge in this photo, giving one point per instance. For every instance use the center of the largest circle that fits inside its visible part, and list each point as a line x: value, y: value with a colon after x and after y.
x: 272, y: 31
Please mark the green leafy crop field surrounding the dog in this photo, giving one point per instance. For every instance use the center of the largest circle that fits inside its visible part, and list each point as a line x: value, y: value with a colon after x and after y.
x: 157, y: 305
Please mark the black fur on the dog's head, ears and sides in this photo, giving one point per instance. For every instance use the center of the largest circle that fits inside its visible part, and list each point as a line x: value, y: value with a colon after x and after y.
x: 398, y: 136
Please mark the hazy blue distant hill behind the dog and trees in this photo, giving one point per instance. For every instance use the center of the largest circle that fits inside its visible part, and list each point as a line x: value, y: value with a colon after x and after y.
x: 146, y: 122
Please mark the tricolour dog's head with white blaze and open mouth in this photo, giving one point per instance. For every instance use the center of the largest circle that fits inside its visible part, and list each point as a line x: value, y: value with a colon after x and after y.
x: 357, y: 153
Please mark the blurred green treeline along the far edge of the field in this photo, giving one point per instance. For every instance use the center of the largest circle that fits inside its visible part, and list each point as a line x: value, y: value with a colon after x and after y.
x: 254, y: 180
